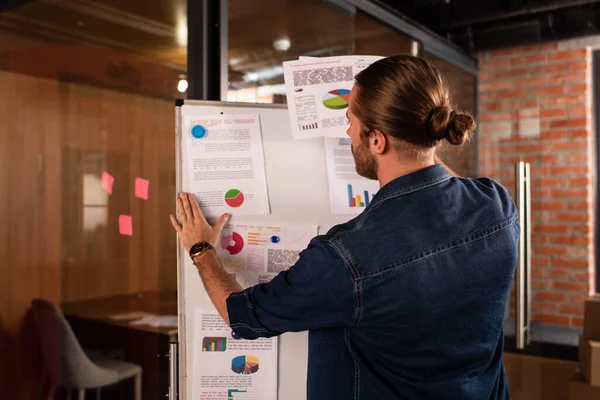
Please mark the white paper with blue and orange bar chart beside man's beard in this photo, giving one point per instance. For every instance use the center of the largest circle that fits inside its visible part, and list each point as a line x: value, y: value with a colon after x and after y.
x: 349, y: 193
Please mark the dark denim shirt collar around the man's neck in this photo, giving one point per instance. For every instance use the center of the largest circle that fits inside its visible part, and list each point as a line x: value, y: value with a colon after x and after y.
x: 413, y: 182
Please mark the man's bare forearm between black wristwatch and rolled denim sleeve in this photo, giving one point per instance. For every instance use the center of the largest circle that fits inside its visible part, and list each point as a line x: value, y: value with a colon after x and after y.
x: 217, y: 282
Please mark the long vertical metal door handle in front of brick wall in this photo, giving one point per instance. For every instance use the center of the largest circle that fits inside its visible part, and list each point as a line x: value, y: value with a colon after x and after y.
x: 523, y: 271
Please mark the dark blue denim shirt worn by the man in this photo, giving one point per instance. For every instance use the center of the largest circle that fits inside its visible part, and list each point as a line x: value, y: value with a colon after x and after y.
x: 405, y: 301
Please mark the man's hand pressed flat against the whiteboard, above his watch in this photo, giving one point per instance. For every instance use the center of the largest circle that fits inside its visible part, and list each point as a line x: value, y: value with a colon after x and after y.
x: 192, y: 227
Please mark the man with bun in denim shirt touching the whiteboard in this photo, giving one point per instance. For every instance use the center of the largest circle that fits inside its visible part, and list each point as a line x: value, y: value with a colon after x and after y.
x: 406, y: 301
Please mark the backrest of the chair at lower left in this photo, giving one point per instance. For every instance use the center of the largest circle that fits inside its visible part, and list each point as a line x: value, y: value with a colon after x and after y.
x: 64, y: 360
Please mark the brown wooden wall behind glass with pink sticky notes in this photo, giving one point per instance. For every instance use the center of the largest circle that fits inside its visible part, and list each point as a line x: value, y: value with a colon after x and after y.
x: 49, y: 130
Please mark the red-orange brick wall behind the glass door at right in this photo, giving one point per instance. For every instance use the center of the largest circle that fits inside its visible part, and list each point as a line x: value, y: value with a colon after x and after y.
x: 535, y: 106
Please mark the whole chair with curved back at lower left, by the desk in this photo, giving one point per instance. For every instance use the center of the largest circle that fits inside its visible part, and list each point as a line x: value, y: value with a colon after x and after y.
x: 66, y: 364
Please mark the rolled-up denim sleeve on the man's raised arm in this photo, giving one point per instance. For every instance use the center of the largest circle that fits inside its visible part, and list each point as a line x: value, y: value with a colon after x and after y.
x: 316, y: 292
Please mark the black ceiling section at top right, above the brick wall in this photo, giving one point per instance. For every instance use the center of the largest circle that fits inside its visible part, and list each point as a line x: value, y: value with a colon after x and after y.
x: 477, y: 25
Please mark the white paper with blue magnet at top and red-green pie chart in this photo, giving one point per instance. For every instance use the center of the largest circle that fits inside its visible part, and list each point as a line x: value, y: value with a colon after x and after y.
x: 227, y: 168
